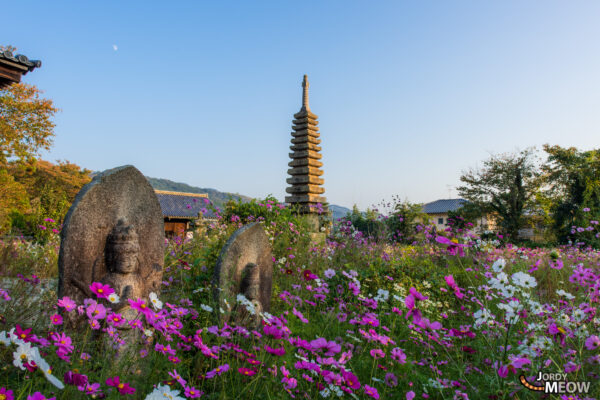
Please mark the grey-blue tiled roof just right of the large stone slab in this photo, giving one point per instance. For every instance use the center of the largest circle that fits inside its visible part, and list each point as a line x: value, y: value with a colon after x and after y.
x: 182, y: 205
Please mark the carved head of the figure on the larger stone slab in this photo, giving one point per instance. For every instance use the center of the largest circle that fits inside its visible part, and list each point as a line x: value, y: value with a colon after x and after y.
x: 122, y: 249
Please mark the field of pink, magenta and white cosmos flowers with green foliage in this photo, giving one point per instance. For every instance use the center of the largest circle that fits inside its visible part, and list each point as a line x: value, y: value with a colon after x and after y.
x: 449, y: 316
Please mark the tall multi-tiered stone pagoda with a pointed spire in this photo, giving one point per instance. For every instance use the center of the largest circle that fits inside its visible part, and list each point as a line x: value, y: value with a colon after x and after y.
x: 305, y: 183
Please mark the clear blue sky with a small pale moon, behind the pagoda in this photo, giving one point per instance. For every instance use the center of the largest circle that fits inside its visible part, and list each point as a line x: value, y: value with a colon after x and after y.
x: 408, y: 94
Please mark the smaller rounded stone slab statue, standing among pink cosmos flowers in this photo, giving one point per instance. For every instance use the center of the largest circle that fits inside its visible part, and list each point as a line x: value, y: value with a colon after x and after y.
x: 245, y: 266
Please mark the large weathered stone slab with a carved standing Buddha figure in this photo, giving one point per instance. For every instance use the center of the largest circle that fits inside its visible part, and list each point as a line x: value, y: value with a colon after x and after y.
x: 114, y: 234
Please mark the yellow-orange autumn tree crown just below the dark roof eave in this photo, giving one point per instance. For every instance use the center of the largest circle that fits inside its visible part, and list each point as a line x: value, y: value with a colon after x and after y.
x: 26, y: 125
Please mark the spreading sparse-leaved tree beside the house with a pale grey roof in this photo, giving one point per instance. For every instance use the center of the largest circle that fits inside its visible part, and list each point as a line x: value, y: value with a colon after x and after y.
x: 506, y: 187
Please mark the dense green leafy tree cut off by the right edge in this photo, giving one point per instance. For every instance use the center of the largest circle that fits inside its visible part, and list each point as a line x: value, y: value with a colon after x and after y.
x: 573, y: 181
